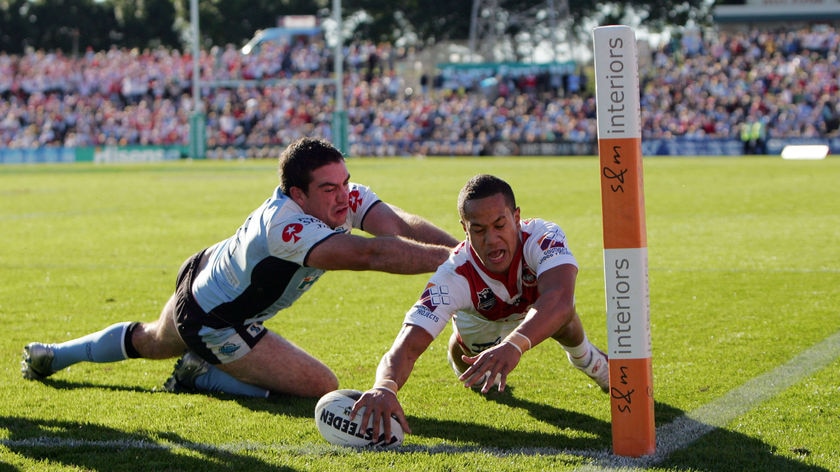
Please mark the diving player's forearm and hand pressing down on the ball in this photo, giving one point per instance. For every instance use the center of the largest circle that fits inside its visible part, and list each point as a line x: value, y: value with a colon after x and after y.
x: 396, y: 365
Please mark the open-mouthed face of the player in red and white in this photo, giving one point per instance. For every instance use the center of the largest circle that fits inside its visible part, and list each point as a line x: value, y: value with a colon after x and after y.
x: 492, y: 231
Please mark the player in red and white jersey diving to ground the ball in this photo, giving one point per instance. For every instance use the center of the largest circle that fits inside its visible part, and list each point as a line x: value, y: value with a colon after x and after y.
x: 508, y: 287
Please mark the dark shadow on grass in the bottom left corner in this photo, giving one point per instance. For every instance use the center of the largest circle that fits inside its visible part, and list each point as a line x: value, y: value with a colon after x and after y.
x: 93, y: 447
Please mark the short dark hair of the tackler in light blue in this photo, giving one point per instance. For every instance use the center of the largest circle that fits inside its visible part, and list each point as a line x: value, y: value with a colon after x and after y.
x: 302, y: 157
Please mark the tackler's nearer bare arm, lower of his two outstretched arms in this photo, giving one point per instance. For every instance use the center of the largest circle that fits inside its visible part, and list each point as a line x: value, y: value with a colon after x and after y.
x: 393, y: 254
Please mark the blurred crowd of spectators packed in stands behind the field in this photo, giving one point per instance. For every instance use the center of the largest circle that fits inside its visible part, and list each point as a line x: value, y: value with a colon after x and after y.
x: 788, y: 81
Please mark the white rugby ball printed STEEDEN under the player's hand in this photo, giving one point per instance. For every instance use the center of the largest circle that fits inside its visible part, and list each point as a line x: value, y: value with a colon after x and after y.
x: 332, y: 416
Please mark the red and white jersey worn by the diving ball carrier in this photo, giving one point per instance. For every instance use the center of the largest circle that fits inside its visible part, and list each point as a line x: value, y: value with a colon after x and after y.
x: 485, y: 307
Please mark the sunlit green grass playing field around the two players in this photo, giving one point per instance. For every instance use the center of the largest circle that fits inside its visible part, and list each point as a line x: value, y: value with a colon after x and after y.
x: 744, y: 259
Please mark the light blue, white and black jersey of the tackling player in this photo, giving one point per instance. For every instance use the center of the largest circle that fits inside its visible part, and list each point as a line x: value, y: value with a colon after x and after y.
x: 260, y: 270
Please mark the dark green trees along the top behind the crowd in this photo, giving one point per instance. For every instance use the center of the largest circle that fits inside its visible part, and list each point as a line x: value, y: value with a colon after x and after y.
x: 73, y: 26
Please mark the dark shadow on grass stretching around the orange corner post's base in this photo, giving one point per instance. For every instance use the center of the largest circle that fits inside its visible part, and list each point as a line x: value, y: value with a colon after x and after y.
x: 712, y: 450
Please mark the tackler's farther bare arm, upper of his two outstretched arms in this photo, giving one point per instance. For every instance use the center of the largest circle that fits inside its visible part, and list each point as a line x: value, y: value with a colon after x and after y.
x: 388, y: 220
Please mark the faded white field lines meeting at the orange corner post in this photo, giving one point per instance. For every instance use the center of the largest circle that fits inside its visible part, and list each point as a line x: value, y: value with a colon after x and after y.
x: 670, y: 437
